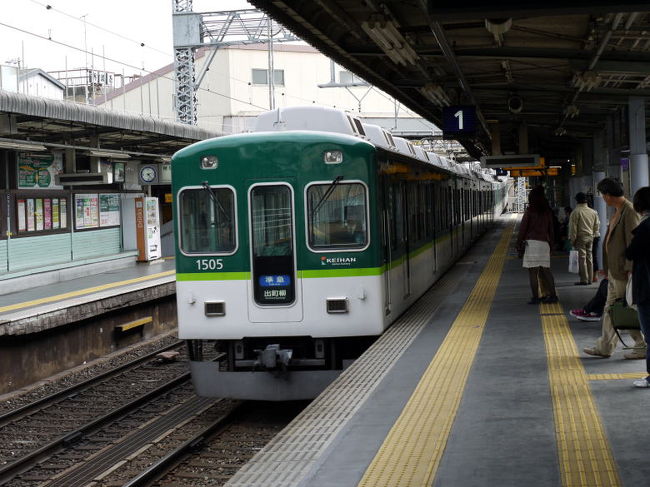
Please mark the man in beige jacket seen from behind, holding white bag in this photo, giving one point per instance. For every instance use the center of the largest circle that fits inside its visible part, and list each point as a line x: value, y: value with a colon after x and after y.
x: 583, y: 228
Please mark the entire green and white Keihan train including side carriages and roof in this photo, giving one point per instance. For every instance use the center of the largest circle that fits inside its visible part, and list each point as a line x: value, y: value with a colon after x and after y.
x: 298, y: 244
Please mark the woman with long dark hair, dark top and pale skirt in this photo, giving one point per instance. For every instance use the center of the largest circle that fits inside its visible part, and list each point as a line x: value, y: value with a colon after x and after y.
x: 534, y: 243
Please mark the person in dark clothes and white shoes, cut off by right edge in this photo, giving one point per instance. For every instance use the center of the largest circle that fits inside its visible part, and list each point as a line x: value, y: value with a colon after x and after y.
x: 639, y: 253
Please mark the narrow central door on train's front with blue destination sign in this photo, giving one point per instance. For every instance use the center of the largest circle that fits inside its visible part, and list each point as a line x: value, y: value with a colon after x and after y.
x: 274, y: 292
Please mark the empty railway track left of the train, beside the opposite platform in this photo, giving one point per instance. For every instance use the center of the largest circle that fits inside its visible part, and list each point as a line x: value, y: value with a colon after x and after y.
x: 30, y: 433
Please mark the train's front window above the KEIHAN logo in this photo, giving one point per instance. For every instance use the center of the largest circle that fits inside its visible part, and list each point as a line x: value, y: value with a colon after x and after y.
x: 339, y: 220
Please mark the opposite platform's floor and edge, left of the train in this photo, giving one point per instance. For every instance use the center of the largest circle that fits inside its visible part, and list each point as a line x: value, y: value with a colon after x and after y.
x: 55, y: 304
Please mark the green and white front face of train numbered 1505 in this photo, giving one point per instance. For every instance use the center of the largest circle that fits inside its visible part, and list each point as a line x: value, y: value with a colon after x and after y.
x: 279, y: 272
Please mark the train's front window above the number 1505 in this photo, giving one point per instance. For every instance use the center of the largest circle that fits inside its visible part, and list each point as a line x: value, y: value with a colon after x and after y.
x: 207, y: 223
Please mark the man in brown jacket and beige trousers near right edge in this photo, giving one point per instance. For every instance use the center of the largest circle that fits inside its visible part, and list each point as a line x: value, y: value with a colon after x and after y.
x: 616, y: 267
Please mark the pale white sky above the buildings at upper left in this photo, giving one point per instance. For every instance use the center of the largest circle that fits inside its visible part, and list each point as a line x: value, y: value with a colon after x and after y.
x: 73, y: 34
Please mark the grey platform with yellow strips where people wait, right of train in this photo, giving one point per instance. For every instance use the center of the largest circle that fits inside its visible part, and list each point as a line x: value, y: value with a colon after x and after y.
x: 473, y: 387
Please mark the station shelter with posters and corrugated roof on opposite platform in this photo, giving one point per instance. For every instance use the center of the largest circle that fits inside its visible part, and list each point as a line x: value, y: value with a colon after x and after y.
x: 69, y: 177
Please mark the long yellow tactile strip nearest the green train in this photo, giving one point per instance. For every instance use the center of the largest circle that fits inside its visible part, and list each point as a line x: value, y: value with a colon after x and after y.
x: 411, y: 452
